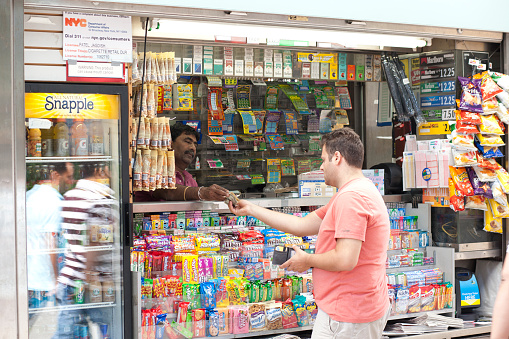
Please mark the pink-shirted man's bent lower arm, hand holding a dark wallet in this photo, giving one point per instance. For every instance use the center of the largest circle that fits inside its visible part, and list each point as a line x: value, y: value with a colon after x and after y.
x: 343, y: 257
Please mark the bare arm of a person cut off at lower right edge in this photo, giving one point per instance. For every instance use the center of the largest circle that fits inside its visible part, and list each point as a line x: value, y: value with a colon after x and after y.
x: 500, y: 325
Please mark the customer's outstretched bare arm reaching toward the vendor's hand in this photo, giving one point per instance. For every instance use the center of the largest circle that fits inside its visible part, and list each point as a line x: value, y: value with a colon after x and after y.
x: 308, y: 225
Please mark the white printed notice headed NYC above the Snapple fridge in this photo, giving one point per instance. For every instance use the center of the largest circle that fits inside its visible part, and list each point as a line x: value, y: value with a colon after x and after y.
x: 97, y: 37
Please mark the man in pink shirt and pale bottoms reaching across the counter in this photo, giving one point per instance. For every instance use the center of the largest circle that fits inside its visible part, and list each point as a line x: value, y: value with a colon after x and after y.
x: 353, y: 232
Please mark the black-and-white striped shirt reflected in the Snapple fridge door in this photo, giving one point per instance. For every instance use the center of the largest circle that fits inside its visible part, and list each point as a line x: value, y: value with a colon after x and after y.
x: 89, y: 203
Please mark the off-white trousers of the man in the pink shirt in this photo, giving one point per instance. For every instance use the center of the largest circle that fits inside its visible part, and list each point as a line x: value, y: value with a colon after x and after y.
x: 325, y: 328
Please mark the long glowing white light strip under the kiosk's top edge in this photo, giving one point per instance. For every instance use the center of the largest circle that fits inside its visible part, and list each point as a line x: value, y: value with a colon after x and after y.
x: 199, y: 30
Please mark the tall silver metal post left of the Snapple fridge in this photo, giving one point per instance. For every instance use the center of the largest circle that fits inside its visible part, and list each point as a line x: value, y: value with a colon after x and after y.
x: 13, y: 280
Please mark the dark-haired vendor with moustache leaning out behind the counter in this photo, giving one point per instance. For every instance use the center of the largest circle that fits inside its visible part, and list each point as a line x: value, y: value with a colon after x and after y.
x: 184, y: 142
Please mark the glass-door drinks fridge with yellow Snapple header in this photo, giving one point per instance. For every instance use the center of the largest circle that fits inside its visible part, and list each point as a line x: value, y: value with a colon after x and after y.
x: 77, y: 209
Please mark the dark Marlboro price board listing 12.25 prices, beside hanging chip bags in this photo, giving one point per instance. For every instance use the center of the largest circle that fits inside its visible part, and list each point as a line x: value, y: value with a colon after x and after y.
x: 437, y: 75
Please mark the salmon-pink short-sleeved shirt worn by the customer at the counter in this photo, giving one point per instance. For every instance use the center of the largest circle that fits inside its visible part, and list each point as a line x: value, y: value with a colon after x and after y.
x: 357, y: 211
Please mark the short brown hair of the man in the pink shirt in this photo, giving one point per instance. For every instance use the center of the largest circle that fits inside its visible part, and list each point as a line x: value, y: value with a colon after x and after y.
x: 347, y: 143
